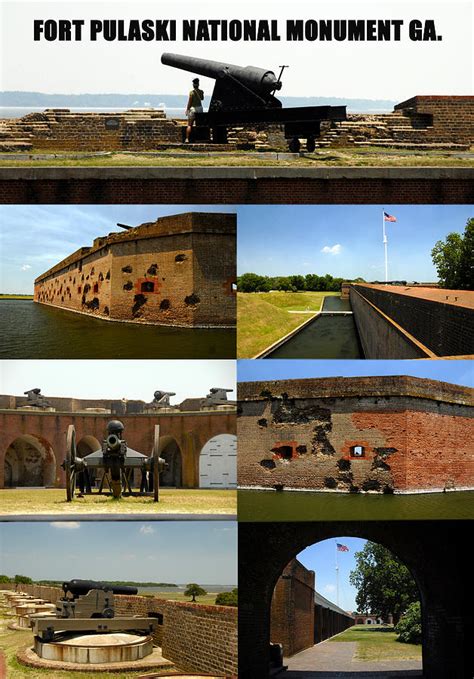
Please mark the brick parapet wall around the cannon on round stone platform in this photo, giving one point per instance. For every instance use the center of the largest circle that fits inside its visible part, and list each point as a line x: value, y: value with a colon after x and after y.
x: 197, y: 638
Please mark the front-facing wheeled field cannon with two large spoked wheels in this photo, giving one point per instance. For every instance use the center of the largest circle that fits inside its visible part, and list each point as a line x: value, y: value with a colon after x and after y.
x: 118, y: 462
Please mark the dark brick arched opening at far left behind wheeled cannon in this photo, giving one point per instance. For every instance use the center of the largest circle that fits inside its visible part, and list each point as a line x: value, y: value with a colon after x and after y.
x: 29, y: 462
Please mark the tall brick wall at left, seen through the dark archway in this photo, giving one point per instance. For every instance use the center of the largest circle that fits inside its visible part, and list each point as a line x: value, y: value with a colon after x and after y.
x: 292, y: 612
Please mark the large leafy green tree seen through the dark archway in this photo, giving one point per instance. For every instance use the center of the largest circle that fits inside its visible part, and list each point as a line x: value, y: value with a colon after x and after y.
x: 384, y: 584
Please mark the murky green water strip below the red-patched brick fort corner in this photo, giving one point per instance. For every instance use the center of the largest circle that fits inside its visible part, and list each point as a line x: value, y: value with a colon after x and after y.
x: 259, y: 505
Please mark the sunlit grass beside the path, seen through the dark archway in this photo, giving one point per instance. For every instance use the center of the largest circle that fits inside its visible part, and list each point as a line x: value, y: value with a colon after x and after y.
x: 378, y: 644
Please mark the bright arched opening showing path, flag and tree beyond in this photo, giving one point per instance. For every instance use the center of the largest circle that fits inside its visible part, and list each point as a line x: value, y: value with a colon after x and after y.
x: 315, y: 600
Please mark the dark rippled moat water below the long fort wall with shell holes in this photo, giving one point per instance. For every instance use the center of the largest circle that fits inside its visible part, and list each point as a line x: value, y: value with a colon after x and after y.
x: 30, y: 330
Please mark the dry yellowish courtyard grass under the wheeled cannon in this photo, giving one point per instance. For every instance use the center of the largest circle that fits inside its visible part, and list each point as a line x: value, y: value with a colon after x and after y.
x: 181, y: 501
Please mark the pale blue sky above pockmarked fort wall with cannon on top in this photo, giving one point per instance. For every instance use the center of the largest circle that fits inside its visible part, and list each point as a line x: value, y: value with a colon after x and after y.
x: 35, y: 237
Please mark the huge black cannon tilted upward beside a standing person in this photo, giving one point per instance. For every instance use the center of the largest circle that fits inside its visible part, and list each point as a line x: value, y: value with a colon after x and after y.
x: 247, y: 95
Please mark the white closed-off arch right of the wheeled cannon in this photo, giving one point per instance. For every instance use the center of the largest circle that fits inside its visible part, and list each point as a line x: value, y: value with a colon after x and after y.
x: 218, y: 462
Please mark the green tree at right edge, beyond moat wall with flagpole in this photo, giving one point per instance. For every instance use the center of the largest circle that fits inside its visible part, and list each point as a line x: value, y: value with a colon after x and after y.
x: 454, y: 259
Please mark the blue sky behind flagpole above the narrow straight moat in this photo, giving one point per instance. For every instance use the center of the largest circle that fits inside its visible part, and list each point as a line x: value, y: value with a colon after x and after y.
x: 281, y: 240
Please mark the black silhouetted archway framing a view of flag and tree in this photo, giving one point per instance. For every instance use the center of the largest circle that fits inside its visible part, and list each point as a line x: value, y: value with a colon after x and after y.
x: 433, y: 551
